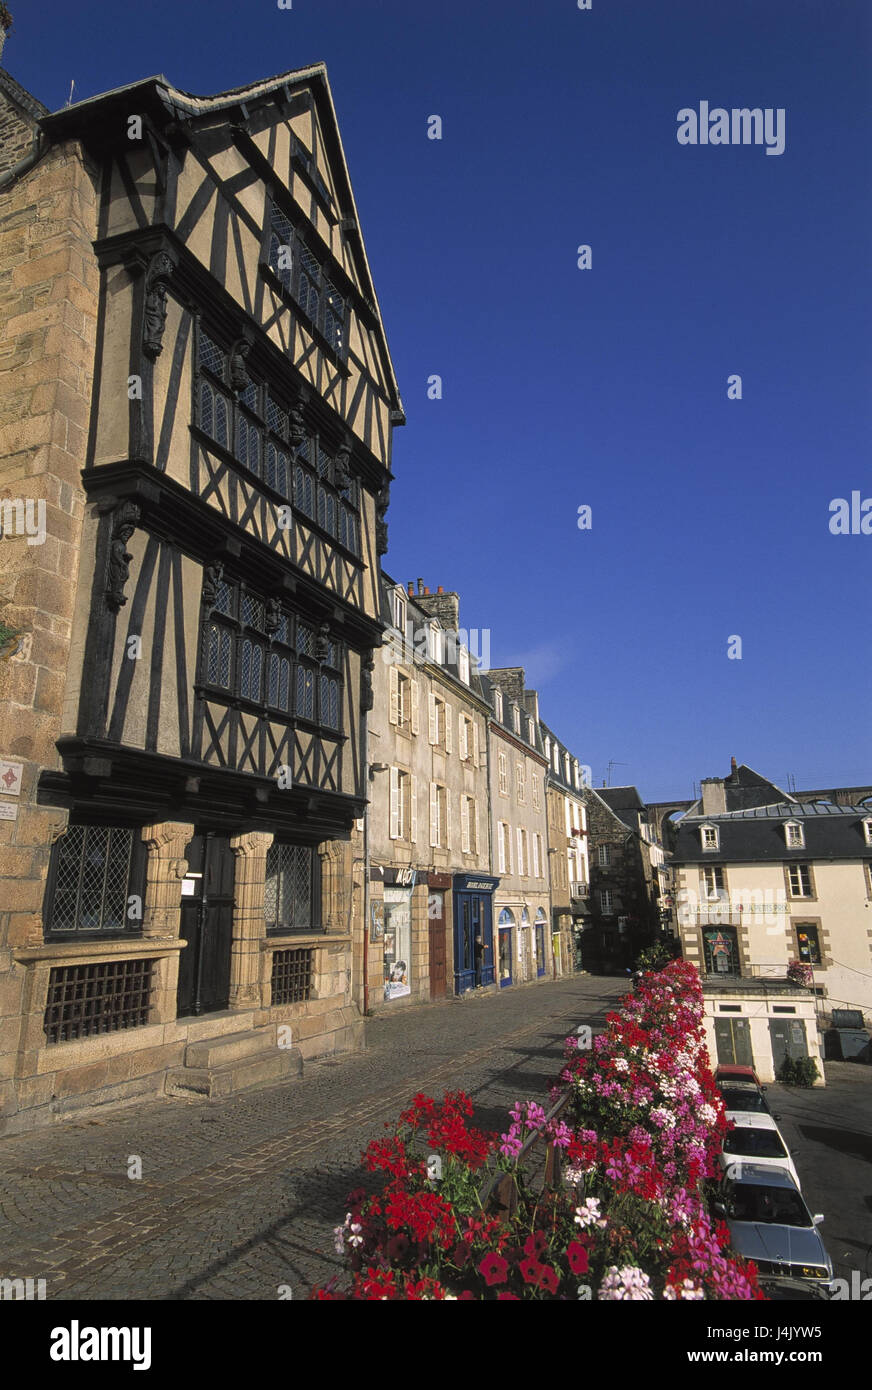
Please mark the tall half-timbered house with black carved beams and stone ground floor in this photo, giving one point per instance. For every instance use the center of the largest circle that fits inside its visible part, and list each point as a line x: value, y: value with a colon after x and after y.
x: 197, y: 407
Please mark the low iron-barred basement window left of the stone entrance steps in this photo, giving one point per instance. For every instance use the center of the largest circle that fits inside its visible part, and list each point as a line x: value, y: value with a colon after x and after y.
x: 87, y: 1000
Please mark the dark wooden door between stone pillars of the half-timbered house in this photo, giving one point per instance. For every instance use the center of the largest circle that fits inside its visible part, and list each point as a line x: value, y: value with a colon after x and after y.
x: 208, y: 928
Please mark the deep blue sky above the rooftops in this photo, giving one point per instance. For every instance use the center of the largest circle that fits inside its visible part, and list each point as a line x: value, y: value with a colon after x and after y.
x: 604, y: 387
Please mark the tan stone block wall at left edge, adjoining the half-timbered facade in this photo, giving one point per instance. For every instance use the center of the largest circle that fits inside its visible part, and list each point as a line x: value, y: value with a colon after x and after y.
x: 49, y: 302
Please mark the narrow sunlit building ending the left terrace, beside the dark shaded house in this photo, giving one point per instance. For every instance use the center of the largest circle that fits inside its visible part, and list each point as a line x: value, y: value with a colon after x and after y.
x: 568, y: 851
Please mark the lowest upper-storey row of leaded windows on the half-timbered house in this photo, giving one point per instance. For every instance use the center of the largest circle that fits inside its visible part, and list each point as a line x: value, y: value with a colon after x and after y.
x: 271, y: 657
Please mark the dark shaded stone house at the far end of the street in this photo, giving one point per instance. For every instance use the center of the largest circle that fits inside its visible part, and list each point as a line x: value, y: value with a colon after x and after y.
x: 628, y: 879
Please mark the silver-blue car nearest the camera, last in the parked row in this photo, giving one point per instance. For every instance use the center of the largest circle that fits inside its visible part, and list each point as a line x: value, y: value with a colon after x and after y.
x: 771, y: 1225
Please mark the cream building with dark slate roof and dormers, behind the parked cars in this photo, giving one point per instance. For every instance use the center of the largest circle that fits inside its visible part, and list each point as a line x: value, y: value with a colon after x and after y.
x: 766, y: 883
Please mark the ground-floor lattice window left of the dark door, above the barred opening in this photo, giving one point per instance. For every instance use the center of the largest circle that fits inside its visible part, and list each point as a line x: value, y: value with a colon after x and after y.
x: 94, y: 882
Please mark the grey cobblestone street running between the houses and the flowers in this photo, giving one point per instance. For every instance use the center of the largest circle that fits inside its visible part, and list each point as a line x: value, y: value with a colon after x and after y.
x: 240, y: 1197
